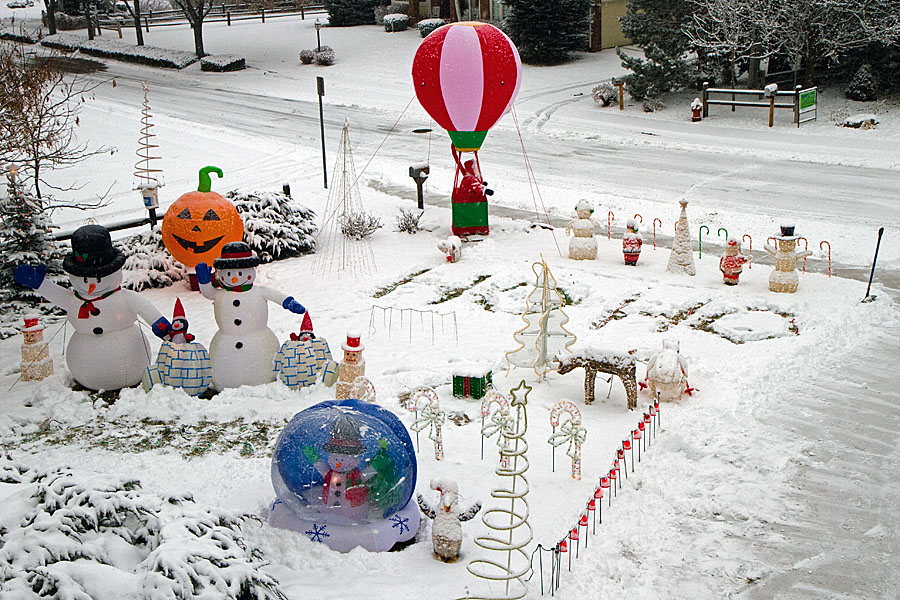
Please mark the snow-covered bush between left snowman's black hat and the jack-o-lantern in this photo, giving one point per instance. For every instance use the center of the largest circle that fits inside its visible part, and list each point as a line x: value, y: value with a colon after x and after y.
x: 148, y: 263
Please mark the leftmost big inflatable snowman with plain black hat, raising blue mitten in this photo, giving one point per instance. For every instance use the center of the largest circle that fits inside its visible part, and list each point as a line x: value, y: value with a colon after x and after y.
x: 108, y: 350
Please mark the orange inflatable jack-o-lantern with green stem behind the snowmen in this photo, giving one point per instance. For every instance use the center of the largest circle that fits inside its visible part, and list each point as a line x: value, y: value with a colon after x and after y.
x: 199, y: 224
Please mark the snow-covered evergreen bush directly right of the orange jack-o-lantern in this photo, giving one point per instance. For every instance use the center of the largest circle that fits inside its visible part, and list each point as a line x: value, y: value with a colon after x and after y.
x: 275, y: 226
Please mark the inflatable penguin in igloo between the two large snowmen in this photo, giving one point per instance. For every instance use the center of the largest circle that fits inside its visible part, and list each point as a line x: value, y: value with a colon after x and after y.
x: 181, y: 362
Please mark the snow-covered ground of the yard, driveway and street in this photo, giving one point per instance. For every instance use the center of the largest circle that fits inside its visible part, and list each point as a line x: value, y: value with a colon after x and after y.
x: 776, y: 479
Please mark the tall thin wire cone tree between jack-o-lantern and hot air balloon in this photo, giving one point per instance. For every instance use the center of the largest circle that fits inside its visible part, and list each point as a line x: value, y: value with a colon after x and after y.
x: 338, y: 250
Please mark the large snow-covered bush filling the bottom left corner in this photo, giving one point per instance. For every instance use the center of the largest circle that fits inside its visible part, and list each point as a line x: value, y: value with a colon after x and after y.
x: 71, y: 537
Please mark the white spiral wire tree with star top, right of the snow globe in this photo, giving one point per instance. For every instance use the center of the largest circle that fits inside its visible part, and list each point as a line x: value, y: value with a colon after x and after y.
x: 510, y: 532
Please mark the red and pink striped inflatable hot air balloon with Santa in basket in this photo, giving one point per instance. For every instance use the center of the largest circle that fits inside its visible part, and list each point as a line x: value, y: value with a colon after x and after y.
x: 466, y: 77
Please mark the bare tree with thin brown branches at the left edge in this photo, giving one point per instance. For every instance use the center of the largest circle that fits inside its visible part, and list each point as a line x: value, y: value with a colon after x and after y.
x: 40, y: 107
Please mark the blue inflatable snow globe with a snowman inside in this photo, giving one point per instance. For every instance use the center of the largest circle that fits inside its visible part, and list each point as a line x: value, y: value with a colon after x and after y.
x: 344, y: 473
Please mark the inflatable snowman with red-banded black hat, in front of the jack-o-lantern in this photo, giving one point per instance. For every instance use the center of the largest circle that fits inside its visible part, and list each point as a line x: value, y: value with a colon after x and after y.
x: 243, y: 349
